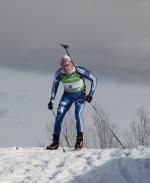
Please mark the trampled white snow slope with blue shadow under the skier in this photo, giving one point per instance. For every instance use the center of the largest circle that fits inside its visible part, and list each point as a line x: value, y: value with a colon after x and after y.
x: 35, y: 164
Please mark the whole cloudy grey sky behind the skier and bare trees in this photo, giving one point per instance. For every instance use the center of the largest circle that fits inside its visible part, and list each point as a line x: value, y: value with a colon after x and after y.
x: 110, y: 38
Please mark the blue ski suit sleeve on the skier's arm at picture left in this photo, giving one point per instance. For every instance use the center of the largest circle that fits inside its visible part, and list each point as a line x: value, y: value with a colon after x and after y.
x: 55, y: 85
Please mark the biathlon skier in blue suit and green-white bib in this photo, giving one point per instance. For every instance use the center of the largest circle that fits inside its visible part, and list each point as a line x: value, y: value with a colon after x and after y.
x: 72, y: 78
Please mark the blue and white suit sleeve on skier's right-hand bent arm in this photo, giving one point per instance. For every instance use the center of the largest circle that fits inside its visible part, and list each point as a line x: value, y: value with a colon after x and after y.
x: 87, y: 75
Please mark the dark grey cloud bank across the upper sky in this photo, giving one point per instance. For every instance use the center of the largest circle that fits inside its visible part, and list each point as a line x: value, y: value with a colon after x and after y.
x: 111, y: 38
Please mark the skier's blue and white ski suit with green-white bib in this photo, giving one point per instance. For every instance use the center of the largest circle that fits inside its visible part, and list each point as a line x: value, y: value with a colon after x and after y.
x: 74, y: 89
